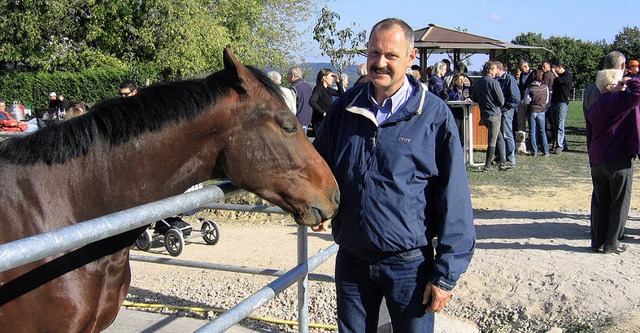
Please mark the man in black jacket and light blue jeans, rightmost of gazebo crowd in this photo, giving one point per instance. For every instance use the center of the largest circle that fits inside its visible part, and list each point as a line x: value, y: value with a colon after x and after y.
x: 560, y: 102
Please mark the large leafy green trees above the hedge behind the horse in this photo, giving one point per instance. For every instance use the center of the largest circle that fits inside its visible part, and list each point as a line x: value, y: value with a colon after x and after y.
x: 181, y: 37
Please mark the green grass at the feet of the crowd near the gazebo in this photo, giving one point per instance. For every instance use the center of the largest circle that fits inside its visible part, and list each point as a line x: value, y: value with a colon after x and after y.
x: 551, y: 171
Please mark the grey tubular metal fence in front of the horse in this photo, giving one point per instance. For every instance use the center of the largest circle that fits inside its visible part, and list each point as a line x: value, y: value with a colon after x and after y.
x: 30, y: 249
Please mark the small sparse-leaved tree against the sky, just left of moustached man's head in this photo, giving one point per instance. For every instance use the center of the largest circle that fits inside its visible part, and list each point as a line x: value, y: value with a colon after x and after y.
x: 326, y: 33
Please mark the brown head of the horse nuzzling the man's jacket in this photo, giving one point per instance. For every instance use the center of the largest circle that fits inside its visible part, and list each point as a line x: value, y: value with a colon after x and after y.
x: 269, y: 154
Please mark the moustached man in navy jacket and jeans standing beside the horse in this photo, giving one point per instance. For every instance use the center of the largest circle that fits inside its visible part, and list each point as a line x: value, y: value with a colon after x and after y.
x: 402, y: 184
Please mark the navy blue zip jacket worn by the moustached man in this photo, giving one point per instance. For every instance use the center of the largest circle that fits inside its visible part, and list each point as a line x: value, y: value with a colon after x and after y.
x: 402, y: 183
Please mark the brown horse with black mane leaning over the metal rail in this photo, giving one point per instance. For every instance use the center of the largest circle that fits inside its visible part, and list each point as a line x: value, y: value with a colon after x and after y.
x: 131, y: 151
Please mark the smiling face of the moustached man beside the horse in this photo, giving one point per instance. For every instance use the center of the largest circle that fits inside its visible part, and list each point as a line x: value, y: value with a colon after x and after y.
x: 388, y: 58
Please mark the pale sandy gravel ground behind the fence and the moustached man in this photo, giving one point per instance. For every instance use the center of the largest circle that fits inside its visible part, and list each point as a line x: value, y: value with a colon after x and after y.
x: 532, y: 272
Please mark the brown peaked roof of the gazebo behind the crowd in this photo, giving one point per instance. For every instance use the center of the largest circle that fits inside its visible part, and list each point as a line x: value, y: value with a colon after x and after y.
x: 435, y: 39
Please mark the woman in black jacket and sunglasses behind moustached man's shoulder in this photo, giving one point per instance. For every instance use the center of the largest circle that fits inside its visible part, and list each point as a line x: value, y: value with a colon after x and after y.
x: 322, y: 95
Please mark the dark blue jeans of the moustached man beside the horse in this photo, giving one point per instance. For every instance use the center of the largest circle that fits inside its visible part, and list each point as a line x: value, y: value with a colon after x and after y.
x: 362, y: 281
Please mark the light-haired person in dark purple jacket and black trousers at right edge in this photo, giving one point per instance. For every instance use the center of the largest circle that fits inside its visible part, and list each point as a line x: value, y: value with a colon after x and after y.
x: 613, y: 141
